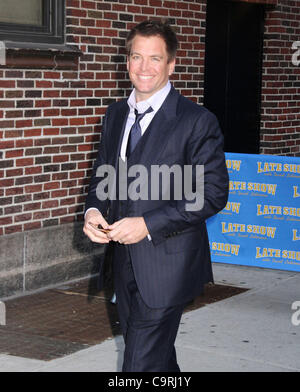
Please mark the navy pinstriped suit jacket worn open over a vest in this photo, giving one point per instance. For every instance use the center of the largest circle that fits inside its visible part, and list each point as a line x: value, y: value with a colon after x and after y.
x: 173, y: 267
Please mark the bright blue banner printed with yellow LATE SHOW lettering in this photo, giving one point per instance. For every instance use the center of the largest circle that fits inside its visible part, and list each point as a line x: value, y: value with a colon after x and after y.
x: 260, y: 225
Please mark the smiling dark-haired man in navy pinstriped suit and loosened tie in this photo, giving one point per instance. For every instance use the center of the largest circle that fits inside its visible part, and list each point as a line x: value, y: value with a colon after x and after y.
x: 161, y: 251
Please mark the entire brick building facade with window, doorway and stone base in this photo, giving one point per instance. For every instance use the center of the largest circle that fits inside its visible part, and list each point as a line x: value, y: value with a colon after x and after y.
x: 58, y: 74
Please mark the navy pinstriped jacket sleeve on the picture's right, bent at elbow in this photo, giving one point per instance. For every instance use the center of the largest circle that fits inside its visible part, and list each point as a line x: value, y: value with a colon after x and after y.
x: 205, y: 147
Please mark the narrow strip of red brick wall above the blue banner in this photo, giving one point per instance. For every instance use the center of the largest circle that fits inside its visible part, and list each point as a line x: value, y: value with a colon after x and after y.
x: 280, y: 122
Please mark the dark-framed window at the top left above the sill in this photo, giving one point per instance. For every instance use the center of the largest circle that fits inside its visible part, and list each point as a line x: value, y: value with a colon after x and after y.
x: 35, y: 21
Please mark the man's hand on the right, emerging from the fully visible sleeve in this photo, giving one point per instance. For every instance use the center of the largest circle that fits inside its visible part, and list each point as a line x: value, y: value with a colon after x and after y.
x: 128, y: 230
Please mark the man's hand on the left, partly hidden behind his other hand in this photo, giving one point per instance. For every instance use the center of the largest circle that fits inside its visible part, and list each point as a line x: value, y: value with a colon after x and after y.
x: 93, y: 218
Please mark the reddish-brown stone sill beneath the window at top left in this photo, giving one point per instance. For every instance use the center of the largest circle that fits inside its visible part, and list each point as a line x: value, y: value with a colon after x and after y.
x: 37, y: 56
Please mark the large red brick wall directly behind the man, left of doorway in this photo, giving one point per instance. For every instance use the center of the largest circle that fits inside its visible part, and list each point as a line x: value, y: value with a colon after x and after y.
x: 50, y: 118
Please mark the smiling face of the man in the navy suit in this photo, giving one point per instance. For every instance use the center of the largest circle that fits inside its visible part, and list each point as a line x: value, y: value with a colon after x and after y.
x: 148, y: 65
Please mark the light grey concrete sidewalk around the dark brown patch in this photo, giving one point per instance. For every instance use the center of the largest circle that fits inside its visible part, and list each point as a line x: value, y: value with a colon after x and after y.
x: 247, y: 332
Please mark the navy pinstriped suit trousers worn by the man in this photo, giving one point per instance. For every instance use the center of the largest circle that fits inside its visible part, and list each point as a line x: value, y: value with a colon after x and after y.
x: 149, y: 334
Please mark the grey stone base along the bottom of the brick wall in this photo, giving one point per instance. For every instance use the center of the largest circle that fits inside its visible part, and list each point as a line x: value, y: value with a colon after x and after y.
x: 39, y: 258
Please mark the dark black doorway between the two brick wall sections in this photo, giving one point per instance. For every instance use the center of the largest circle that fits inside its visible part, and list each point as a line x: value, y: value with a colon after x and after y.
x: 233, y: 67
